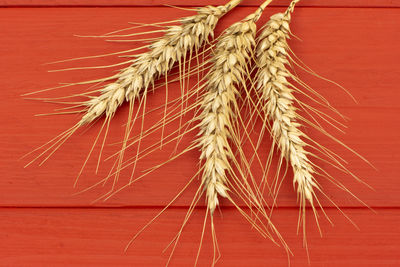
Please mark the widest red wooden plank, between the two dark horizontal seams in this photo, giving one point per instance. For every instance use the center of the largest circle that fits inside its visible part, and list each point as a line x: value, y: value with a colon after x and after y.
x: 336, y: 43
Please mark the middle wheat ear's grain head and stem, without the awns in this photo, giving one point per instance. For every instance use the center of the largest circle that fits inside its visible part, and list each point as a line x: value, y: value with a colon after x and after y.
x: 229, y: 68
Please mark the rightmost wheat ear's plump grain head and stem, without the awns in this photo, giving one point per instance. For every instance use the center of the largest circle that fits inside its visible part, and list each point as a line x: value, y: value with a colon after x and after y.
x: 277, y: 93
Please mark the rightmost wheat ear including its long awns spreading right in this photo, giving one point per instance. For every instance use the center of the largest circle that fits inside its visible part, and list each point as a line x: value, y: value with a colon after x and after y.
x: 277, y: 100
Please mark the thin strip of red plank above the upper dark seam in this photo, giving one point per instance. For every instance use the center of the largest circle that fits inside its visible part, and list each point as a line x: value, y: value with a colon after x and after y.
x: 132, y: 3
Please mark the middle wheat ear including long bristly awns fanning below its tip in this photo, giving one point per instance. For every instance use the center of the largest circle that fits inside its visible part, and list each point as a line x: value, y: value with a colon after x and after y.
x: 218, y: 128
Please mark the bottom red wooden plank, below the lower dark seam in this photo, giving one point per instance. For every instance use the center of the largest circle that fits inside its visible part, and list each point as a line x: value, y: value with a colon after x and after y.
x: 97, y: 237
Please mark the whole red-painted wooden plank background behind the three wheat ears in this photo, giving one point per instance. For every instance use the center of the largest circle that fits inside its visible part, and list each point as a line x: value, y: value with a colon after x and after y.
x: 43, y: 224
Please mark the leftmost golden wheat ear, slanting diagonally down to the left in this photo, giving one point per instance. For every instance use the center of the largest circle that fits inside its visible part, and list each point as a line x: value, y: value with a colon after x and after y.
x: 134, y: 81
